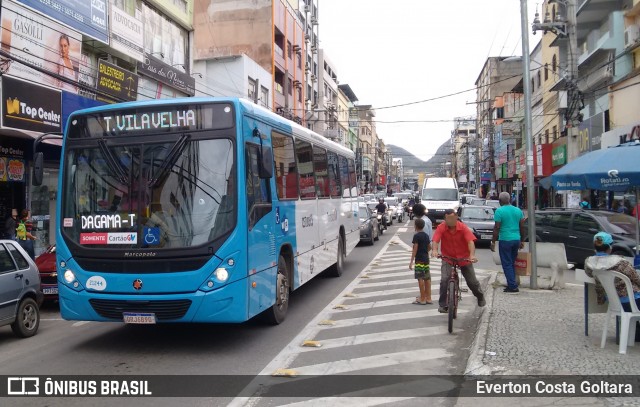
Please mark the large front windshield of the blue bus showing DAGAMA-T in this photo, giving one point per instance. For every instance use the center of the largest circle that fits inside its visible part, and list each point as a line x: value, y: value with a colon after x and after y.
x: 172, y: 194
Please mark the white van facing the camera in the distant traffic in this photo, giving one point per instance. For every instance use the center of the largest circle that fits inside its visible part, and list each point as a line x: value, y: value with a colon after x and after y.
x: 439, y: 194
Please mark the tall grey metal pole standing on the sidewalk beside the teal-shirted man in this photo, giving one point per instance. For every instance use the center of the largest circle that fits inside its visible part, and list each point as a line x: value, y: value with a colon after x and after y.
x: 529, y: 143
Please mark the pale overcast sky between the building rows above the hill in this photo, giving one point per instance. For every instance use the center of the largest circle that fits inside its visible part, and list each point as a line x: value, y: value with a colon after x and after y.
x: 394, y: 52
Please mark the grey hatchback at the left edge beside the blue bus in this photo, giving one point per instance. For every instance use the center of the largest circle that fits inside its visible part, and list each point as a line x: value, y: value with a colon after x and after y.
x: 20, y: 295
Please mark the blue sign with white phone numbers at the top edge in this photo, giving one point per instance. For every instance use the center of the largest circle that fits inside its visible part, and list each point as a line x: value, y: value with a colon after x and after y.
x: 87, y: 16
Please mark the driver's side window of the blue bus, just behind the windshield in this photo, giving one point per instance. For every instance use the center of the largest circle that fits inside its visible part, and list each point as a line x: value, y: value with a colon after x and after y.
x: 258, y: 191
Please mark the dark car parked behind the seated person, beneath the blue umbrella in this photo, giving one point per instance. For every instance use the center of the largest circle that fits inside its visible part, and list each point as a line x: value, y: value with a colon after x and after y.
x: 576, y: 227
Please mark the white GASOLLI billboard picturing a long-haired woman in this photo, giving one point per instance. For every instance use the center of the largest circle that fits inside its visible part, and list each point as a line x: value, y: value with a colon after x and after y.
x: 30, y: 37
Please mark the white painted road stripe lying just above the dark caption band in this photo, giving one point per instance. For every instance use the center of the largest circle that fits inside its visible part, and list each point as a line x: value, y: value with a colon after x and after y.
x: 371, y: 362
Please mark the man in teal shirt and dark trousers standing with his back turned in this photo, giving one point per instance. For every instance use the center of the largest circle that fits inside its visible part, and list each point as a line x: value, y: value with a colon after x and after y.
x: 509, y: 230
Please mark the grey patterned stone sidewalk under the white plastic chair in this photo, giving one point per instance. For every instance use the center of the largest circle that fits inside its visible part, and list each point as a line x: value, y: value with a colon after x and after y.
x: 541, y: 332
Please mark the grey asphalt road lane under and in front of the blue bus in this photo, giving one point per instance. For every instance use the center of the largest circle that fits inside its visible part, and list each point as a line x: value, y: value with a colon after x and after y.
x: 90, y: 348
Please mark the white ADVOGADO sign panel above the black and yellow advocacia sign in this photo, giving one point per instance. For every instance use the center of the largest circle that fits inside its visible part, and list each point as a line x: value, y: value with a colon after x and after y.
x: 127, y: 34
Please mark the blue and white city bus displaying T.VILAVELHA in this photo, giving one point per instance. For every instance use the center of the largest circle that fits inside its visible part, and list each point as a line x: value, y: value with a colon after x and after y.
x: 196, y: 210
